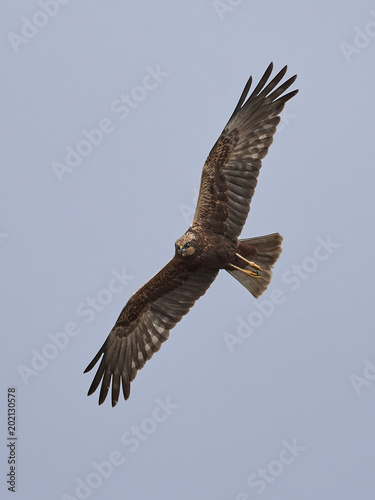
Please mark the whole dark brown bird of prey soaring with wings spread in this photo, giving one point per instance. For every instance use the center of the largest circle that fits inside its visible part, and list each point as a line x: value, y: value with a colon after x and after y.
x: 211, y: 242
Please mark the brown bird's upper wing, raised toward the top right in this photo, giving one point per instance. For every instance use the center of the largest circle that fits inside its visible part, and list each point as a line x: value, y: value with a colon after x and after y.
x: 230, y: 172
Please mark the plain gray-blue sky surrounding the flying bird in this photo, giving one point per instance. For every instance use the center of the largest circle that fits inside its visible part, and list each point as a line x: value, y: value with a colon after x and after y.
x: 298, y: 375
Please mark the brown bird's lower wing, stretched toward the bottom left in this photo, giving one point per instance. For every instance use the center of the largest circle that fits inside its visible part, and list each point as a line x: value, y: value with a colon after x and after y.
x: 144, y: 324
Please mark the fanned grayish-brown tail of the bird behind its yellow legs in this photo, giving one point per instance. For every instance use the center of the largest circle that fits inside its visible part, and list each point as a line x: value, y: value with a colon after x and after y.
x: 263, y: 251
